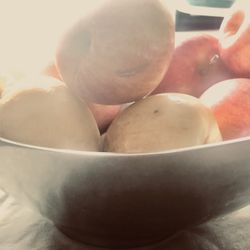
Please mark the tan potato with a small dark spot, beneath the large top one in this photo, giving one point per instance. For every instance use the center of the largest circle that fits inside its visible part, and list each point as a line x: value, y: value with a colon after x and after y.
x: 162, y: 122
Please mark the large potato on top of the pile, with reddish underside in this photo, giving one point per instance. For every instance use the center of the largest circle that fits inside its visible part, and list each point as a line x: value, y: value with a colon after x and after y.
x: 118, y: 53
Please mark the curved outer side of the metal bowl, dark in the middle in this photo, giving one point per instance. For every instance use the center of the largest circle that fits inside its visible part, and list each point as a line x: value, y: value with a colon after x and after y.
x: 122, y: 200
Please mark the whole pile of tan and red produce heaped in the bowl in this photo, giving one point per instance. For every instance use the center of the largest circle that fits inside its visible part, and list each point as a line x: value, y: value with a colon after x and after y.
x: 121, y: 83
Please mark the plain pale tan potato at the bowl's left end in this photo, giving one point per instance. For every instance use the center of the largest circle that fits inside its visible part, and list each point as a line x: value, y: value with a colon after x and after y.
x: 43, y: 112
